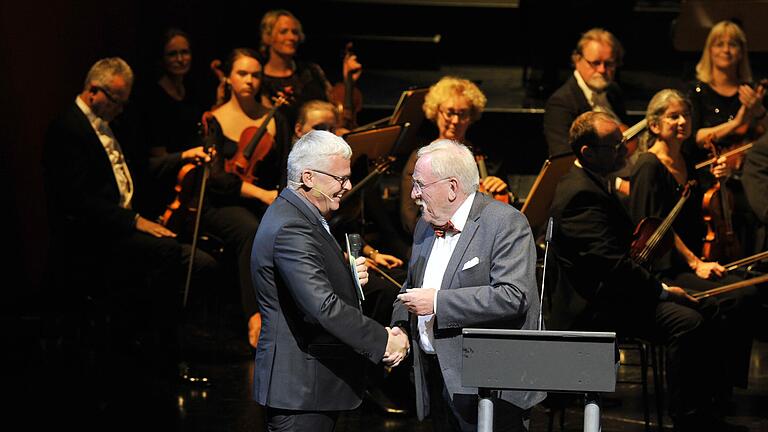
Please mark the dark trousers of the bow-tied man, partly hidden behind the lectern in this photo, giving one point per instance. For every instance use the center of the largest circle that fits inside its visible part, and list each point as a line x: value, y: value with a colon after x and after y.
x: 459, y: 413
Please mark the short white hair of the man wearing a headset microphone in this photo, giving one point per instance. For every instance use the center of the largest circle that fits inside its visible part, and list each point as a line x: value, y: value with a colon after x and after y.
x: 312, y: 151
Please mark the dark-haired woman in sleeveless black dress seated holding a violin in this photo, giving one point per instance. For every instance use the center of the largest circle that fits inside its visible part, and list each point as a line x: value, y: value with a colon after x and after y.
x: 234, y: 203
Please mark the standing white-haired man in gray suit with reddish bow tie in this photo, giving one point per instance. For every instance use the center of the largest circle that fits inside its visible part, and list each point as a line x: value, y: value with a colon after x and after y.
x: 472, y: 265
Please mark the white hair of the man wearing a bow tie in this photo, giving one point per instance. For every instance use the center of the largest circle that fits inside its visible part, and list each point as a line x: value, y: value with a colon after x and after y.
x: 453, y: 159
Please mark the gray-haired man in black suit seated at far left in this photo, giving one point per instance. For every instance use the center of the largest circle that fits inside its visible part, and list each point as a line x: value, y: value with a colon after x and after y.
x: 95, y: 180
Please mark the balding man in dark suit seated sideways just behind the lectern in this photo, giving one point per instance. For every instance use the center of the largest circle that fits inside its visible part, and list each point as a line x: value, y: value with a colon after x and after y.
x: 601, y: 288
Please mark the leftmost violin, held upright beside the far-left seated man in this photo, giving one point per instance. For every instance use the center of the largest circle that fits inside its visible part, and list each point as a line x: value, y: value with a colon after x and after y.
x: 180, y: 214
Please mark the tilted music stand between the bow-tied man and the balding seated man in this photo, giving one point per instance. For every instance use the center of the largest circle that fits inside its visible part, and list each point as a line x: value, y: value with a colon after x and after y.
x: 536, y: 206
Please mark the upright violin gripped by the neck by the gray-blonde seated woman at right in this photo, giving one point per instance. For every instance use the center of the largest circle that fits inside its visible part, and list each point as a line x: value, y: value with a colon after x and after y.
x: 720, y: 241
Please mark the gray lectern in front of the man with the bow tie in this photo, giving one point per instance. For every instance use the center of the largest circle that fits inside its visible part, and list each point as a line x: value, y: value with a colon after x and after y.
x: 557, y: 361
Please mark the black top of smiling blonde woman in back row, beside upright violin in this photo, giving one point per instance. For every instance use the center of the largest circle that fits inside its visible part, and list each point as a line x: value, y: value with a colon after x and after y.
x: 308, y: 82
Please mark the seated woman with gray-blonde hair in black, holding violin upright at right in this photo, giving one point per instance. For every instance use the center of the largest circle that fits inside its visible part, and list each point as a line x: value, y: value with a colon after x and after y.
x: 657, y: 178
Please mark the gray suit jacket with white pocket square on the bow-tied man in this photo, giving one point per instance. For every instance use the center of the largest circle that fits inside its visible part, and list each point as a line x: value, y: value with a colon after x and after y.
x: 499, y: 292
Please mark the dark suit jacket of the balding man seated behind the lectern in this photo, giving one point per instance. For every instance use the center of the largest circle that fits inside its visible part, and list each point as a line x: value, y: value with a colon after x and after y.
x: 592, y: 238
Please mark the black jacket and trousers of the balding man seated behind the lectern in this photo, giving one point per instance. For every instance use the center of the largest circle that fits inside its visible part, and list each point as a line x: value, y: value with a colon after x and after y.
x: 599, y: 287
